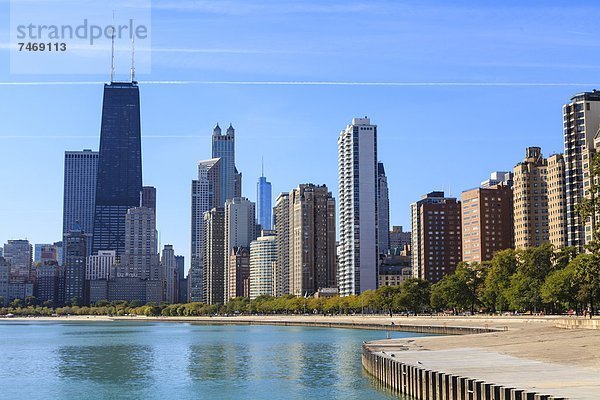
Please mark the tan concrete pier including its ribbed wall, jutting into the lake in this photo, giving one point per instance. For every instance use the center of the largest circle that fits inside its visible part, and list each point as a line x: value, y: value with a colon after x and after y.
x: 538, y: 362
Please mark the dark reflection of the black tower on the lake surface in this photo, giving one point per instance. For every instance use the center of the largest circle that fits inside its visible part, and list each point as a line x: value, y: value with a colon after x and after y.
x: 115, y: 364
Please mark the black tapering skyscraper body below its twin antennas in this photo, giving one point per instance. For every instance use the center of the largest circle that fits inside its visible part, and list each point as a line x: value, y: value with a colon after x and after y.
x: 119, y: 177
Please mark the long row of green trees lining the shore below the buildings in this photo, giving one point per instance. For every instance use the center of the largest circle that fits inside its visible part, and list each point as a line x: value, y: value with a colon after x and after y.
x: 534, y: 281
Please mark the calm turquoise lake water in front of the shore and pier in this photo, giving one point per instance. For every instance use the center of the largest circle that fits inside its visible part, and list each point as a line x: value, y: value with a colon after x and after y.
x: 162, y: 360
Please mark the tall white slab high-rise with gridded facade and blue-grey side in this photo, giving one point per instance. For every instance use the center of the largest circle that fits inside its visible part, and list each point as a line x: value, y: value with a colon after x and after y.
x: 358, y: 240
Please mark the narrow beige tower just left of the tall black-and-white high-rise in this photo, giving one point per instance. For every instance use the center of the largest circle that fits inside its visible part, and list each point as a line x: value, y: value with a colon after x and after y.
x: 557, y: 204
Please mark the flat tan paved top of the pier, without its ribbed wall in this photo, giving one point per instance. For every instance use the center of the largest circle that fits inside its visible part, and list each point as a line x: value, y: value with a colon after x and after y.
x: 538, y: 357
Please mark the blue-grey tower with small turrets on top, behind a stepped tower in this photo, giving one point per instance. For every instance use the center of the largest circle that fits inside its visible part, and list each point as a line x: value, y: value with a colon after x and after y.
x: 223, y: 147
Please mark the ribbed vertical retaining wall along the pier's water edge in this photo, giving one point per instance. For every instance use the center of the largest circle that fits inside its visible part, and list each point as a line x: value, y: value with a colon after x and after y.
x: 426, y: 384
